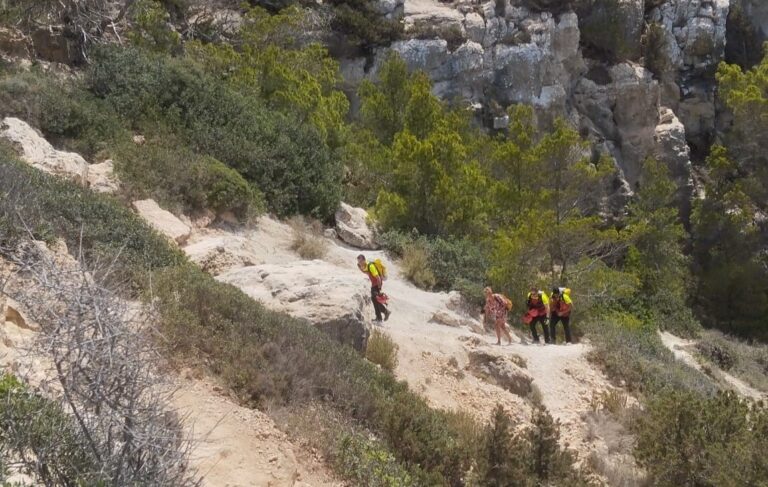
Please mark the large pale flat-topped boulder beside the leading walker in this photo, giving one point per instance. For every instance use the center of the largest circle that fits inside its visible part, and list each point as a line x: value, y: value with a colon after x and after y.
x: 333, y: 299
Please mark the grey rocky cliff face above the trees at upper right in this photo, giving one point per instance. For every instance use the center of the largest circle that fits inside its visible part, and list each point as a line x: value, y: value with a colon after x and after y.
x: 580, y: 60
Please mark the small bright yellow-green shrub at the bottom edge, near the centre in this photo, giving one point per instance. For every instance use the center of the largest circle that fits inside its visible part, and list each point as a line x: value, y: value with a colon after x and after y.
x: 366, y: 462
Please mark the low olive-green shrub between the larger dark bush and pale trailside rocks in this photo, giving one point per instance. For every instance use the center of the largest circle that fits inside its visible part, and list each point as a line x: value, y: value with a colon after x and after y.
x: 180, y: 179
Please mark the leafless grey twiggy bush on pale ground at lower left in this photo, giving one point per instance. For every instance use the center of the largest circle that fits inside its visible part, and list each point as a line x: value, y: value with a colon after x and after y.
x: 104, y: 374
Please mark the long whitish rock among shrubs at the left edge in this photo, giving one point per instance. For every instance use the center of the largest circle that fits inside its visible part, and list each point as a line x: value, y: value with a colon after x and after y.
x: 36, y: 151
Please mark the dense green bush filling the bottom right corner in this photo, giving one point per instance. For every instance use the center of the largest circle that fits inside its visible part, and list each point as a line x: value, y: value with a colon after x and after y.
x: 686, y: 439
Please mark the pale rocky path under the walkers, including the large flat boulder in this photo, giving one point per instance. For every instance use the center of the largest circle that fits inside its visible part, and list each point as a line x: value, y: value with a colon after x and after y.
x: 433, y: 358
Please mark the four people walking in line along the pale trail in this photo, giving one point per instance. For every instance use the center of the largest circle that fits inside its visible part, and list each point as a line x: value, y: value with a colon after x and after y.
x: 541, y: 309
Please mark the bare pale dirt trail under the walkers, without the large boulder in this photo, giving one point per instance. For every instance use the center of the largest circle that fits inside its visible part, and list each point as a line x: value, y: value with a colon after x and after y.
x: 433, y: 357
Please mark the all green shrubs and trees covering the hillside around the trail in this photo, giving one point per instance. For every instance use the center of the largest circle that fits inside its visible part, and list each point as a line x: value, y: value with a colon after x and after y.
x: 255, y: 121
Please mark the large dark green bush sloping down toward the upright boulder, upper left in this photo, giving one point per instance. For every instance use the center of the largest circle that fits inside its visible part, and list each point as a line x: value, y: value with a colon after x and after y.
x: 284, y: 159
